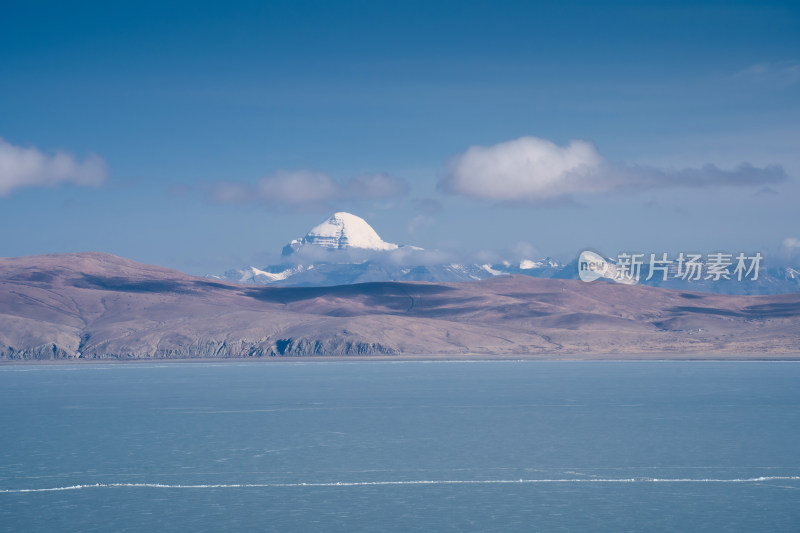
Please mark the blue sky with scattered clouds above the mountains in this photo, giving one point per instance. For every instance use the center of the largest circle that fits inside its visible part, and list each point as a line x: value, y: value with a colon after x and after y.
x: 204, y: 136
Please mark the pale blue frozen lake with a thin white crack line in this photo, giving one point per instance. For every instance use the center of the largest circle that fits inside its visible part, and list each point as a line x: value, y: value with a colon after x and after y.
x: 401, y: 446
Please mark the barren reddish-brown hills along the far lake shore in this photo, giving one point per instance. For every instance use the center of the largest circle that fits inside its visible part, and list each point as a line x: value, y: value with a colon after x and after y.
x: 98, y: 306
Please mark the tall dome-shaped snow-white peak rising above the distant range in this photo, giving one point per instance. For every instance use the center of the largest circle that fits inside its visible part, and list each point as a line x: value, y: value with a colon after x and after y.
x: 343, y: 230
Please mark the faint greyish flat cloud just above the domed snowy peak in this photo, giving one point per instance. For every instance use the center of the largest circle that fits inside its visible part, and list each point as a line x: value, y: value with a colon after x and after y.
x: 295, y: 188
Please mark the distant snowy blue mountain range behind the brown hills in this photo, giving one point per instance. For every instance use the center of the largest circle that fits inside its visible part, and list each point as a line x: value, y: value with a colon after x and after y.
x: 345, y: 249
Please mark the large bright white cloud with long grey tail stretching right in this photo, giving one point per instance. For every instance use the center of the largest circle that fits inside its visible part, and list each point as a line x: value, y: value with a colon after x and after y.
x: 534, y: 170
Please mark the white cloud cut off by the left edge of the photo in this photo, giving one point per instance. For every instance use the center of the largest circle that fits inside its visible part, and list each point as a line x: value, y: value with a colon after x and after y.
x: 30, y: 167
